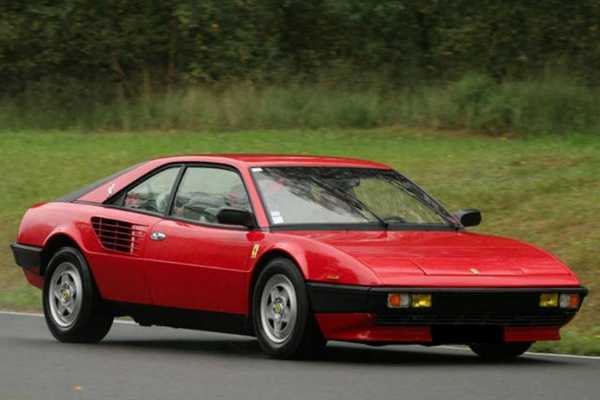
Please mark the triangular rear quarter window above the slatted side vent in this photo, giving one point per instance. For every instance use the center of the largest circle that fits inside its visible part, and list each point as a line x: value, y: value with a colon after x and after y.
x: 152, y: 194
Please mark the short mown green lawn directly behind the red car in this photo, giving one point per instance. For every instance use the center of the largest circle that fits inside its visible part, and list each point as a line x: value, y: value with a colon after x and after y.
x: 542, y: 189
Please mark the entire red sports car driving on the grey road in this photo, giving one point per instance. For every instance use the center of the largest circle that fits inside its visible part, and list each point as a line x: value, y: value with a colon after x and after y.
x: 296, y: 250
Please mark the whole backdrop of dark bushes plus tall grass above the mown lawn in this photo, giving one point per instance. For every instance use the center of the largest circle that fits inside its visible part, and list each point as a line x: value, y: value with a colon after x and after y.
x: 241, y: 64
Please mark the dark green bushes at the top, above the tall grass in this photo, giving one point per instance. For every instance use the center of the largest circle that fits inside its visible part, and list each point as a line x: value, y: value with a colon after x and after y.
x: 138, y: 47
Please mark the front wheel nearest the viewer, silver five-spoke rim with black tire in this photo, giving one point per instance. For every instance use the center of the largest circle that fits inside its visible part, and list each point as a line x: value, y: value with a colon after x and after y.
x: 283, y: 323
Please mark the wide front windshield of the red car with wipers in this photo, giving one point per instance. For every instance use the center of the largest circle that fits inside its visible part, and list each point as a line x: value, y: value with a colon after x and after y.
x: 334, y: 195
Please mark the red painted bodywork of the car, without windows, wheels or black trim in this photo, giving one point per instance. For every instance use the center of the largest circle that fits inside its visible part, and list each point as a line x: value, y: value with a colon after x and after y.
x: 210, y: 268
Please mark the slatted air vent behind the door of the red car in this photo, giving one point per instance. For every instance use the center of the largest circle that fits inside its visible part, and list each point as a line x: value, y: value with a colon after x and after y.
x: 118, y: 236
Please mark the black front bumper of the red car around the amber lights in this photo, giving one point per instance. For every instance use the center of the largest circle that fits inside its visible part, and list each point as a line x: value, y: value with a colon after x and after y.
x: 450, y: 306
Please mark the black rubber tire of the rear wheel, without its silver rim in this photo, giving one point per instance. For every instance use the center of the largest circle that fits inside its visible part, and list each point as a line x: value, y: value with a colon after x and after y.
x: 92, y: 321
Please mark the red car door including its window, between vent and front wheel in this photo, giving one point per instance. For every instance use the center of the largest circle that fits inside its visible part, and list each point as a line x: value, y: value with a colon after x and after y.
x: 194, y: 262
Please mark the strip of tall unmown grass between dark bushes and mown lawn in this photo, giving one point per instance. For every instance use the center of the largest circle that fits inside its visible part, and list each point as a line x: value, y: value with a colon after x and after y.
x: 546, y: 104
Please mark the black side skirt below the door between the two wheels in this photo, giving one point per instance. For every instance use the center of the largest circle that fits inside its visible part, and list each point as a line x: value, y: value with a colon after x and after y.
x: 148, y: 315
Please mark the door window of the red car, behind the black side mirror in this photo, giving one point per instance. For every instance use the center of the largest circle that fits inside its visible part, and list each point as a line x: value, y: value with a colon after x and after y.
x: 204, y: 191
